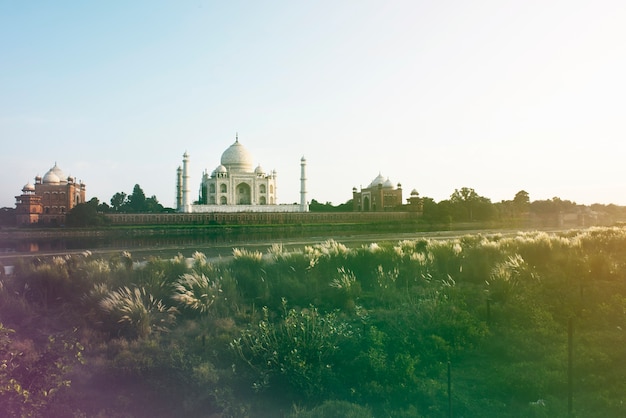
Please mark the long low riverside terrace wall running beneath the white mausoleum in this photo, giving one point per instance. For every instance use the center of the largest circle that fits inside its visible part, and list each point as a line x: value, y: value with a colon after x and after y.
x: 246, y: 218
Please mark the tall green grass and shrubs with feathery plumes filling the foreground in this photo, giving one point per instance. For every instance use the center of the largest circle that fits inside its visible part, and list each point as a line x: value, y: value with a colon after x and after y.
x: 325, y: 331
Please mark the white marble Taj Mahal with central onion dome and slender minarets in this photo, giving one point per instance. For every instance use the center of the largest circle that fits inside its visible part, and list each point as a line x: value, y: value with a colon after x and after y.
x: 235, y: 186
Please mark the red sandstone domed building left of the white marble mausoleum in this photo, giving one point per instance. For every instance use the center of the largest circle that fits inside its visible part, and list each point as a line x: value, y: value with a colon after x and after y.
x: 49, y: 199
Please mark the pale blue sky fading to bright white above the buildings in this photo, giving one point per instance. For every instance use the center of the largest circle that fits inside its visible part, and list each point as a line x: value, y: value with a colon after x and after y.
x: 499, y: 96
